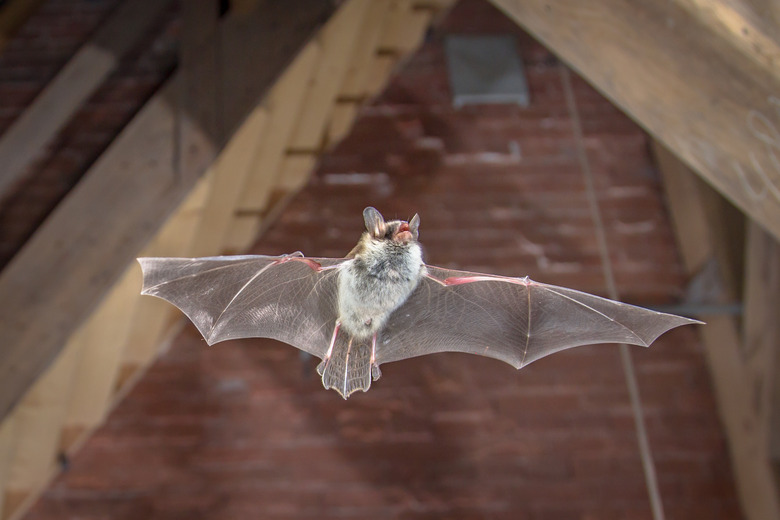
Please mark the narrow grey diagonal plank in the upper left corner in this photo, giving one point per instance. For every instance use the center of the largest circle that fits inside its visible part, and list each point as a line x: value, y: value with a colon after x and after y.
x: 26, y: 139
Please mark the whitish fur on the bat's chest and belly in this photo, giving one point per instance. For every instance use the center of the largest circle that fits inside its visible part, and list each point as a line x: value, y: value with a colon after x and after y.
x: 376, y: 283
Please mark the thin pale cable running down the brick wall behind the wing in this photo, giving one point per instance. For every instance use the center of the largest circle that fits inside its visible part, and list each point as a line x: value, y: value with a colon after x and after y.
x: 648, y: 465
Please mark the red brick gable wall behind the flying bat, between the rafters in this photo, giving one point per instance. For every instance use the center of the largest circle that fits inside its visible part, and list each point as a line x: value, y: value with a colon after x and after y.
x: 245, y: 430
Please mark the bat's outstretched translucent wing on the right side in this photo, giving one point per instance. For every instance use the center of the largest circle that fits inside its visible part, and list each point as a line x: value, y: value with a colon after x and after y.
x: 515, y: 320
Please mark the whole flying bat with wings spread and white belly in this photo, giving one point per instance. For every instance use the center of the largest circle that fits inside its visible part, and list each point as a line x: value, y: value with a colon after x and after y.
x: 382, y: 303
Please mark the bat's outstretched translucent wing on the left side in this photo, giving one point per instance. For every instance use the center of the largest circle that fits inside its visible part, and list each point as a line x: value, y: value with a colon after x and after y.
x: 289, y: 298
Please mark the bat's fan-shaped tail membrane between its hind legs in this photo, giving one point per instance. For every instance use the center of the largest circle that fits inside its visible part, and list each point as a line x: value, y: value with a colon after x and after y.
x: 349, y: 367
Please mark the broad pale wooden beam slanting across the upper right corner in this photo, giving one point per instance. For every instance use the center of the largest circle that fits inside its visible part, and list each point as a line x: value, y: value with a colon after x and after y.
x: 706, y: 94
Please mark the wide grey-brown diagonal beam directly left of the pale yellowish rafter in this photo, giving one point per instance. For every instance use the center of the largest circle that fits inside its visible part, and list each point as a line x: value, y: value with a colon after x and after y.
x: 85, y: 245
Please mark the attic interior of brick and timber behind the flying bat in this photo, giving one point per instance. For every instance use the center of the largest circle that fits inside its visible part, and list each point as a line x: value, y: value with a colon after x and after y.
x: 646, y: 160
